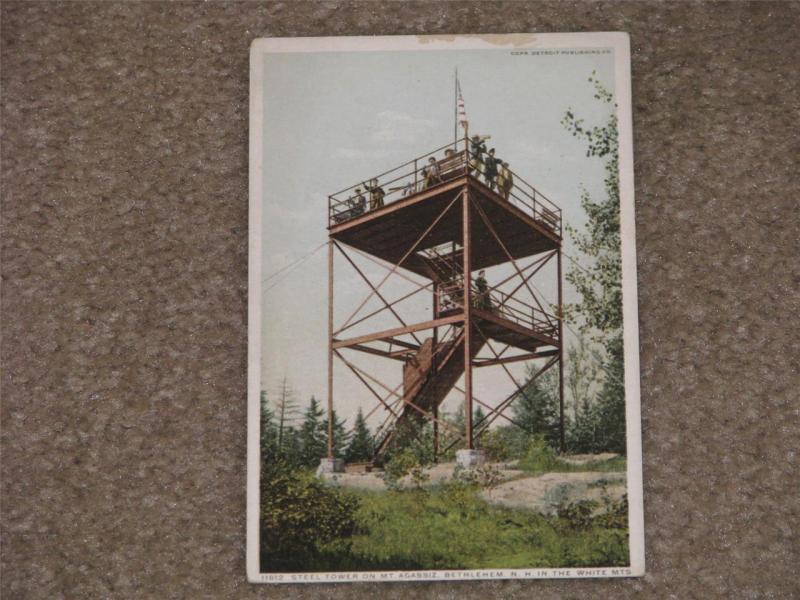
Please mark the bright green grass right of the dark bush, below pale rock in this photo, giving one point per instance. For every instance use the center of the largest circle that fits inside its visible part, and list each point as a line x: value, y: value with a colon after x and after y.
x: 450, y: 527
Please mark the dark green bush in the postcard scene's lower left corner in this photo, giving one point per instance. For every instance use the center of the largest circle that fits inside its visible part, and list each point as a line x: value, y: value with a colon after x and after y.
x: 302, y: 520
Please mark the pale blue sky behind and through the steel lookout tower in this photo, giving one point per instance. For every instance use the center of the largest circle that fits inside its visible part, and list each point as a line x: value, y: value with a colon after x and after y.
x: 335, y: 119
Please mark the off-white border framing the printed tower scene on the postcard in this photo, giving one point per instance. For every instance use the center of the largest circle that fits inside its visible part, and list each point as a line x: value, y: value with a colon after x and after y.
x: 620, y: 42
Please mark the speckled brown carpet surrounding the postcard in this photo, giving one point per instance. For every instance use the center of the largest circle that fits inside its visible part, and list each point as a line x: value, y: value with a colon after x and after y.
x: 124, y: 264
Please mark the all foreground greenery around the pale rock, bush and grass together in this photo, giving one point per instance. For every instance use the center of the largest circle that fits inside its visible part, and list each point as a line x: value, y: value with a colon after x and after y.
x: 307, y: 525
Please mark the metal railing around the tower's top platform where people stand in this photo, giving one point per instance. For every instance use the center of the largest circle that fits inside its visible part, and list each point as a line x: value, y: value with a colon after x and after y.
x: 438, y: 167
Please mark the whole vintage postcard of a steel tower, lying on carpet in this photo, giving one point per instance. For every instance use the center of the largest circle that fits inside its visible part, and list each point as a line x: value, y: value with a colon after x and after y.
x: 443, y: 371
